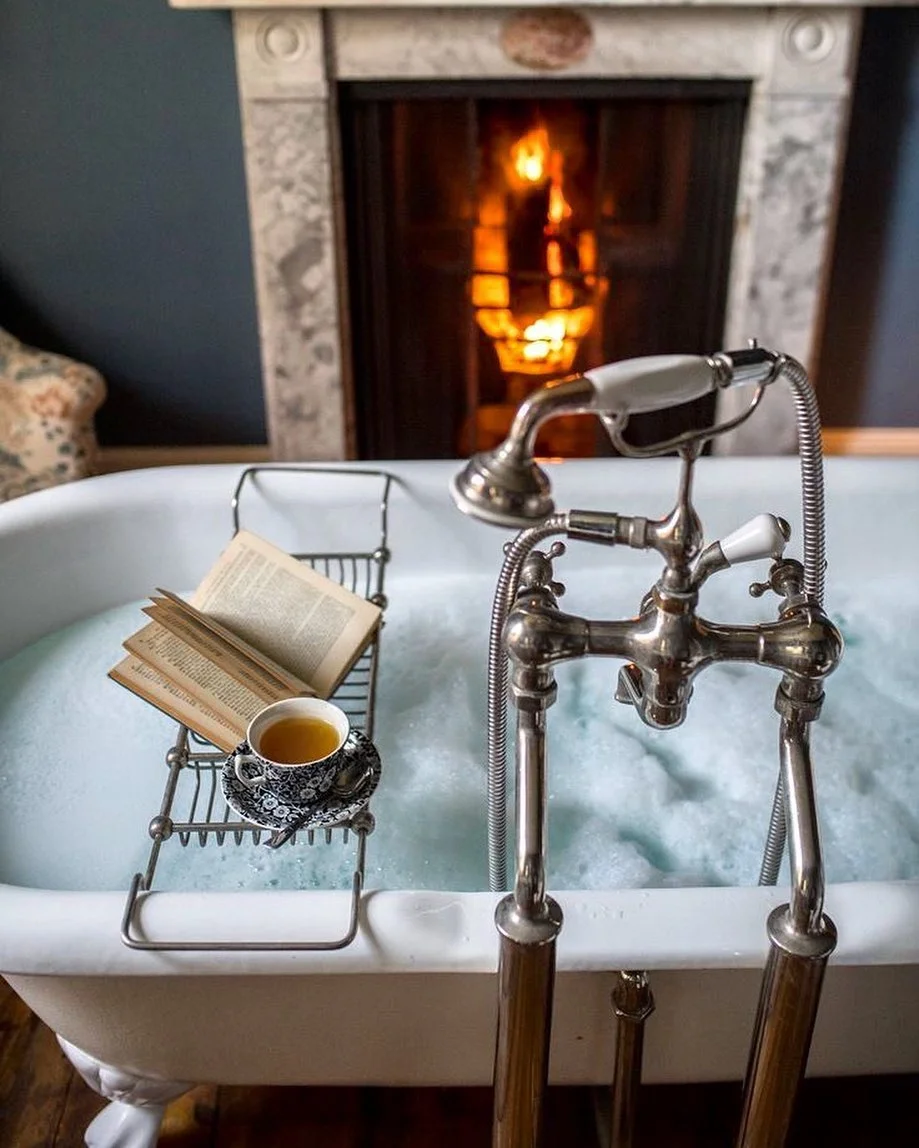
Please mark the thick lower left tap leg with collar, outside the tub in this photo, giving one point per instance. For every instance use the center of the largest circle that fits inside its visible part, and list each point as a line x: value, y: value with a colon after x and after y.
x: 526, y: 986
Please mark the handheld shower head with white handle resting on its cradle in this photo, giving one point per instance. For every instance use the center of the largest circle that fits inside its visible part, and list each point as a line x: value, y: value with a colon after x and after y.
x: 505, y: 487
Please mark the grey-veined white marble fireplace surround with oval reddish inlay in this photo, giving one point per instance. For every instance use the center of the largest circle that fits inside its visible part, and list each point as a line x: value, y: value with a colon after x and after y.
x: 800, y: 61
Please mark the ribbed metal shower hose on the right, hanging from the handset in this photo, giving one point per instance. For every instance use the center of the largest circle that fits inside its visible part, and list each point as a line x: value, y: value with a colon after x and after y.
x: 811, y: 451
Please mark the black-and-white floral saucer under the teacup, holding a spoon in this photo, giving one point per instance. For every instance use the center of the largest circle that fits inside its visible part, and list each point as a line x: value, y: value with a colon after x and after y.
x: 263, y: 809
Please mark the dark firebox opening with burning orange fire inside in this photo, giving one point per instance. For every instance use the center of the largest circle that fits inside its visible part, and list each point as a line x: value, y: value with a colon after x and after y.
x: 502, y: 235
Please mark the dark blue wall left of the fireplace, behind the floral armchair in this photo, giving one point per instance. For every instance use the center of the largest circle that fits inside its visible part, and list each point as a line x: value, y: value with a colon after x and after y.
x: 123, y: 226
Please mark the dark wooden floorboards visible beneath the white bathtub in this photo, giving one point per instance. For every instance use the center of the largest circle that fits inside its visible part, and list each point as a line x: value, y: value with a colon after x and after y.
x: 44, y: 1104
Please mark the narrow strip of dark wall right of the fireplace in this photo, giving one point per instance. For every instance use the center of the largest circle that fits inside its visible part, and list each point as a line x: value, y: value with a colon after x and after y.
x: 869, y: 370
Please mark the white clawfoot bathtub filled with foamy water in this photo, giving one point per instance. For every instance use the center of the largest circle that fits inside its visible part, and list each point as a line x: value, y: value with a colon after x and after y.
x: 412, y: 1002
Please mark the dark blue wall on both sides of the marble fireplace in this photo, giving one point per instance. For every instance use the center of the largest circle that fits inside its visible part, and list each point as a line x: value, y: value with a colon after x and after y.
x: 124, y: 237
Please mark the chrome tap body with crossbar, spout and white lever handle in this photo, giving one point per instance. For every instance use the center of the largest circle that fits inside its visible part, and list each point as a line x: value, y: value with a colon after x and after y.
x: 668, y: 643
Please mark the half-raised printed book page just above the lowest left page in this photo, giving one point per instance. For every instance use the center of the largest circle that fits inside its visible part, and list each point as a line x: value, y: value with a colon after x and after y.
x: 194, y: 673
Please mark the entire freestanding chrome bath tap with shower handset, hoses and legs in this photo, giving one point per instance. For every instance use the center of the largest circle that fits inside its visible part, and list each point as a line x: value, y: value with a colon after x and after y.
x: 665, y: 647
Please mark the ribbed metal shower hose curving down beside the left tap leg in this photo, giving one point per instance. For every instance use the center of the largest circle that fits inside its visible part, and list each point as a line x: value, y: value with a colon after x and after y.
x: 497, y: 693
